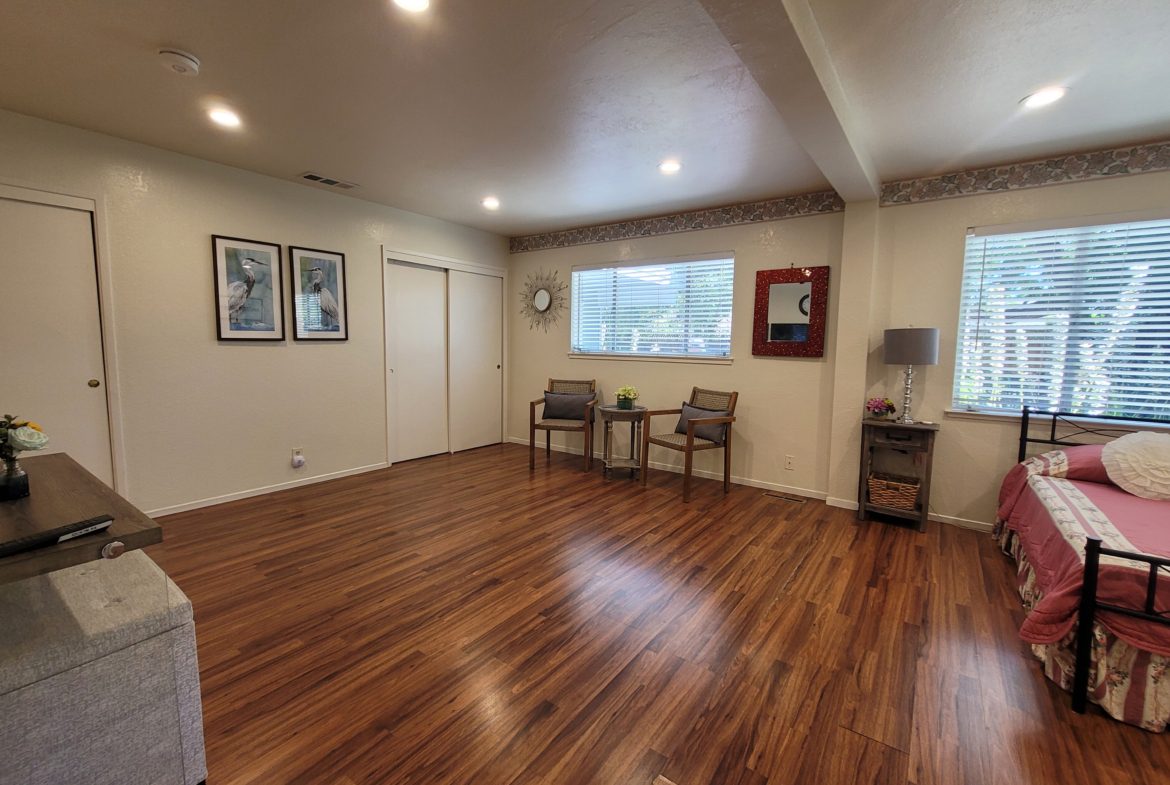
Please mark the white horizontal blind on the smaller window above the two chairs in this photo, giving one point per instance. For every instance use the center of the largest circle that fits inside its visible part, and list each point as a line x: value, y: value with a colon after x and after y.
x: 670, y: 309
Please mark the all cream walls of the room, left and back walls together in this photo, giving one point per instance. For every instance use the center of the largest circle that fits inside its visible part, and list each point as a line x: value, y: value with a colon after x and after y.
x: 204, y: 419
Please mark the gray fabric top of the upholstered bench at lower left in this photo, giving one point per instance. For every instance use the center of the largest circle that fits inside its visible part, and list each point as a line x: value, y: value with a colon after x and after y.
x: 64, y: 619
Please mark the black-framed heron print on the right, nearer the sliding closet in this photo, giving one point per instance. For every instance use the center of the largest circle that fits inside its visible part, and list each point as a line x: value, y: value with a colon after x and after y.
x: 319, y: 295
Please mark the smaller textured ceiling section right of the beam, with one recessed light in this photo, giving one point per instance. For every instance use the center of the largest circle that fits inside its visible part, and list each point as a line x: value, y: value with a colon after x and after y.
x: 937, y: 86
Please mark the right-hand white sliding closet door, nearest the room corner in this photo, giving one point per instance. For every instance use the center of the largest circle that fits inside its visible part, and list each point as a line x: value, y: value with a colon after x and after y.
x: 476, y: 330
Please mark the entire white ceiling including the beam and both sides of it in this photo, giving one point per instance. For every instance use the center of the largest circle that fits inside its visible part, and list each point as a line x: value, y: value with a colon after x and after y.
x: 565, y: 108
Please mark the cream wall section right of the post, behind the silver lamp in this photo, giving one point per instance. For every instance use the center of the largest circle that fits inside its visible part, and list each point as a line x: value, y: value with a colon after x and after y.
x: 921, y: 250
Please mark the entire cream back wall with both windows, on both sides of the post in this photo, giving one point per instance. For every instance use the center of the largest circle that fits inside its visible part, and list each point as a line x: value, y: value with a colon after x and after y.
x: 787, y: 407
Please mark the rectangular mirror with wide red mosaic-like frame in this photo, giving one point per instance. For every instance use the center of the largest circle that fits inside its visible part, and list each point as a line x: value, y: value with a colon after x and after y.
x: 790, y: 313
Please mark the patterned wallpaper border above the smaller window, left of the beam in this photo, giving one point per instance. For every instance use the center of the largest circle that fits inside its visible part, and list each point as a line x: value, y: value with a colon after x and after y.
x: 753, y: 212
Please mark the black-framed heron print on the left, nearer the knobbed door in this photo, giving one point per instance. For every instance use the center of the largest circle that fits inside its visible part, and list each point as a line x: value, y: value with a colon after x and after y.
x: 250, y: 290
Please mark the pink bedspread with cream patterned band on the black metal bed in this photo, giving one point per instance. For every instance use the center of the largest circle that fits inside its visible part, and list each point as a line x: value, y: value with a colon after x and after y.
x: 1052, y: 515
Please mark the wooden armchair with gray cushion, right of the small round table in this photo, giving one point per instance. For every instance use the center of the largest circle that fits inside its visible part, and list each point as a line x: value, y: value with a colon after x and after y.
x: 705, y: 423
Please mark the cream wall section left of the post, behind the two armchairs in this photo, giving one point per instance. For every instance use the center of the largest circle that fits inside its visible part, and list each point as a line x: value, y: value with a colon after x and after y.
x: 784, y: 403
